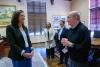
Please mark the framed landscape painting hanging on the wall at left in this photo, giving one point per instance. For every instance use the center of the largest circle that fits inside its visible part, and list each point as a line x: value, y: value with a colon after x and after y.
x: 6, y: 12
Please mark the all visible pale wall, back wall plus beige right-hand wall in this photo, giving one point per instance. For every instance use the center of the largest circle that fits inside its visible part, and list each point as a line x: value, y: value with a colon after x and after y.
x: 60, y: 7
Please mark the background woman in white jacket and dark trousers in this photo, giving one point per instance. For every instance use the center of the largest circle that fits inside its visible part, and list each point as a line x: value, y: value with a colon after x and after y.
x: 49, y: 35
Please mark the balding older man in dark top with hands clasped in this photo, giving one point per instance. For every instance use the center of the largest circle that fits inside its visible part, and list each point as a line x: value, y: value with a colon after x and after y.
x: 78, y: 41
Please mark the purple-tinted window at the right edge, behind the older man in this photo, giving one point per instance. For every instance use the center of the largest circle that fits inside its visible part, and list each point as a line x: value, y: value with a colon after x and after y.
x: 95, y: 15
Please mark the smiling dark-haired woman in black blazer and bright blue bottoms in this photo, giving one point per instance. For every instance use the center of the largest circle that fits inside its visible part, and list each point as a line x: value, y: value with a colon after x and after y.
x: 19, y: 41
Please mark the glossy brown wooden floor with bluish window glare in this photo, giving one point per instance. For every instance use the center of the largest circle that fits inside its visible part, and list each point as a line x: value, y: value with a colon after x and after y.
x: 40, y: 47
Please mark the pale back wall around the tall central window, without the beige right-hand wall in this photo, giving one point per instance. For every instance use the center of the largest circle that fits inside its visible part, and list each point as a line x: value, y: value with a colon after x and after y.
x: 61, y: 7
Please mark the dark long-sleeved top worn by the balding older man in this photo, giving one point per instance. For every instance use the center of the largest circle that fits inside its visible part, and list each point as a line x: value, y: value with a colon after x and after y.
x: 81, y: 38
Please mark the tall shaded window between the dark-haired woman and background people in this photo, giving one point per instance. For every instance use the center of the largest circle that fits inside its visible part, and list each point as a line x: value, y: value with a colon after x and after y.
x: 36, y: 16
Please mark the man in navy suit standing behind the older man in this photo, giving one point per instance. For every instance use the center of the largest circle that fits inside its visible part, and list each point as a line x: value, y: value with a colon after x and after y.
x: 62, y: 32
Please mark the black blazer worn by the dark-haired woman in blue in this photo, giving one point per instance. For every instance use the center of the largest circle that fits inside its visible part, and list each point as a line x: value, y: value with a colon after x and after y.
x: 16, y: 42
